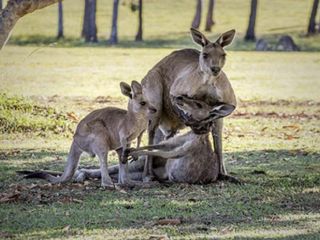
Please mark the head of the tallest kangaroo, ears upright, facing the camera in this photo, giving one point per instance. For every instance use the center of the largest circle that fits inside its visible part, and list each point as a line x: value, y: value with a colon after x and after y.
x: 212, y: 57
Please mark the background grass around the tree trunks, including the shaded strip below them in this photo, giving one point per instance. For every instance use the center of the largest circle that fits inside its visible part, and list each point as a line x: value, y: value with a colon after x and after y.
x: 274, y: 19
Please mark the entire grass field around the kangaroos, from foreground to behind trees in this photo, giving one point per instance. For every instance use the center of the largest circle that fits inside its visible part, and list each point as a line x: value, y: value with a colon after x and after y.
x: 271, y: 141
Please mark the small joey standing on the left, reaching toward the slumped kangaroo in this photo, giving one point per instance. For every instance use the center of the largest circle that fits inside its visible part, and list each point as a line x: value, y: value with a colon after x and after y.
x: 104, y: 130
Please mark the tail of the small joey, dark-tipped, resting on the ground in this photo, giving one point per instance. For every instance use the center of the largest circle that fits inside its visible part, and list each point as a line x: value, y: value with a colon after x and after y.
x: 69, y: 170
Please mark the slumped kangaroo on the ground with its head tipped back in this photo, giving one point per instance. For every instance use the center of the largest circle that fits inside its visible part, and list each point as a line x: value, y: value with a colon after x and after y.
x: 186, y: 158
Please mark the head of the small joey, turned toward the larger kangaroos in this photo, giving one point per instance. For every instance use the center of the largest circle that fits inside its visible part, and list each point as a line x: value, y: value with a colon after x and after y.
x: 137, y: 103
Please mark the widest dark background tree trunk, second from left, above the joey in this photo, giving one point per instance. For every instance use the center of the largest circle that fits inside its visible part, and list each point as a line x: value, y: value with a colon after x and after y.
x: 89, y: 27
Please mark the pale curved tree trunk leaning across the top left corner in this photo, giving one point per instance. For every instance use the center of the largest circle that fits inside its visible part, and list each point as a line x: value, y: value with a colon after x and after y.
x: 15, y: 10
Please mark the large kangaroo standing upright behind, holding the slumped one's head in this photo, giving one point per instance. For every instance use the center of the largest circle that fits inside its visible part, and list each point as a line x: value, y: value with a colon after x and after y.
x: 192, y: 73
